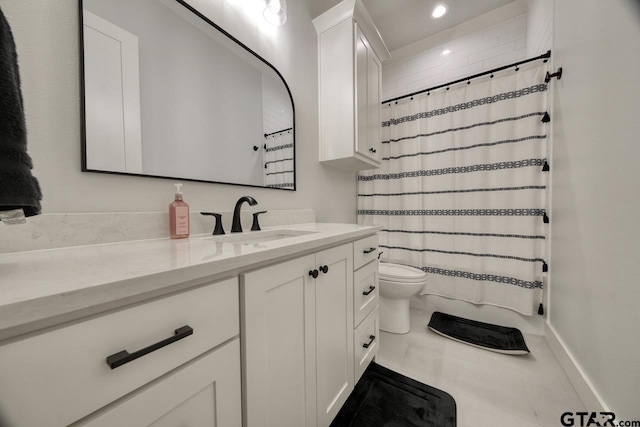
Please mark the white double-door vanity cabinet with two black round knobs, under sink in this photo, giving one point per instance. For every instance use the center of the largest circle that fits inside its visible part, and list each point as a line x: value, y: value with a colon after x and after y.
x: 297, y: 336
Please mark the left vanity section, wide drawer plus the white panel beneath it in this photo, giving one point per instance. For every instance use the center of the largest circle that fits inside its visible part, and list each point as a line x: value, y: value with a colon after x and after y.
x: 61, y: 376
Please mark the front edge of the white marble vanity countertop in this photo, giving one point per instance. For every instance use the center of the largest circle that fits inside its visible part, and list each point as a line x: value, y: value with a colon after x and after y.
x: 33, y: 315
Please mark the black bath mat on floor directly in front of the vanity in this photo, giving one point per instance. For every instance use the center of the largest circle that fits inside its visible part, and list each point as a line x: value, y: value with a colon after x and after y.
x: 384, y: 398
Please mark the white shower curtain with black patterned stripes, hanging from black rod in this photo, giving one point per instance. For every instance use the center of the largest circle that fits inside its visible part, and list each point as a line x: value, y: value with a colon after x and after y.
x: 461, y: 193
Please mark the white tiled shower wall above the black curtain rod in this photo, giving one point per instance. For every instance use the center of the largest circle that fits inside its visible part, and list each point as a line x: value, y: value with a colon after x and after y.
x: 496, y: 38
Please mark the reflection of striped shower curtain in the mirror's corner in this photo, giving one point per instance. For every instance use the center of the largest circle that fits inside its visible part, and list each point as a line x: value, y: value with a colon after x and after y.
x: 278, y: 159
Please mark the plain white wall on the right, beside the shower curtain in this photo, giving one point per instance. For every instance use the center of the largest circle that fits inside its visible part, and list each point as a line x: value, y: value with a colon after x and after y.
x: 595, y: 296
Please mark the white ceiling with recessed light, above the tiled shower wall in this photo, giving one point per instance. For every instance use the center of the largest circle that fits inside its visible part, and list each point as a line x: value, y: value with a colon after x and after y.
x: 402, y: 22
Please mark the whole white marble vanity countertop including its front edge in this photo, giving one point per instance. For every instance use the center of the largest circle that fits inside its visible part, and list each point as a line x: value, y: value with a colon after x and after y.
x: 46, y: 287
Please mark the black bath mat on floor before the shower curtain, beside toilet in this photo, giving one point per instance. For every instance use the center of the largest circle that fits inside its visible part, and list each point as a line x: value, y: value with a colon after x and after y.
x: 484, y: 335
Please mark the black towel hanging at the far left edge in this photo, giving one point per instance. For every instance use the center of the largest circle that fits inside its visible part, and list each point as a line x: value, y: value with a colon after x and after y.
x: 19, y: 189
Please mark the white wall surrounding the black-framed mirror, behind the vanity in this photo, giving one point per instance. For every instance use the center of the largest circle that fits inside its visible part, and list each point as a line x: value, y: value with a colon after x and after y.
x: 46, y: 33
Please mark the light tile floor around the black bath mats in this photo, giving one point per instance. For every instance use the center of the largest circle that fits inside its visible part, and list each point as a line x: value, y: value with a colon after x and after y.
x: 490, y: 389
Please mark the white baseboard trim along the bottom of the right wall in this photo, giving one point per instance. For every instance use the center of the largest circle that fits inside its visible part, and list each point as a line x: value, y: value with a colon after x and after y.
x: 585, y: 389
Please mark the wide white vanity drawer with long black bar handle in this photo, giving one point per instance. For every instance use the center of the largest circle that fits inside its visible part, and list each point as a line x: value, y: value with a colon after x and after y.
x: 65, y: 370
